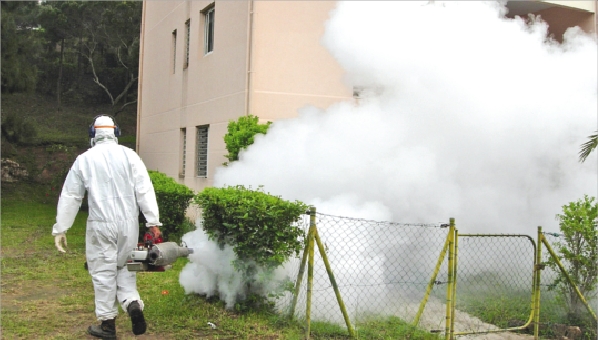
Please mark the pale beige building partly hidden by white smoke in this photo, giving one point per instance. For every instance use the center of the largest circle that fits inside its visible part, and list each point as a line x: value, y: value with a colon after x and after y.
x: 204, y: 63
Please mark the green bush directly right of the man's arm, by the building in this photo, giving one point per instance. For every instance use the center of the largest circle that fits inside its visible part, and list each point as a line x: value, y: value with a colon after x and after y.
x: 173, y: 200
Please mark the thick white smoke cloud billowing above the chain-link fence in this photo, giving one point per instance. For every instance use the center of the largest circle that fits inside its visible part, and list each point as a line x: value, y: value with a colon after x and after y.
x: 467, y: 114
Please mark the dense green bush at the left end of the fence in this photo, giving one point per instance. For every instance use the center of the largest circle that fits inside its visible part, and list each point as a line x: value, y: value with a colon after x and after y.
x: 260, y: 227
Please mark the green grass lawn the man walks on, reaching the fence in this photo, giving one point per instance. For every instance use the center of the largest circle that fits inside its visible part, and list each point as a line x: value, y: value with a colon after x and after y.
x: 49, y: 295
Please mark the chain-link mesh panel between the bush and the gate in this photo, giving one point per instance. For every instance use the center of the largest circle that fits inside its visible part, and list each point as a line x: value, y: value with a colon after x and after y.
x: 381, y: 269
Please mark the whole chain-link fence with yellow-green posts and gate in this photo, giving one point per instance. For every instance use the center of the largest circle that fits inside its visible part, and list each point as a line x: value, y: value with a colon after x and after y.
x: 385, y: 269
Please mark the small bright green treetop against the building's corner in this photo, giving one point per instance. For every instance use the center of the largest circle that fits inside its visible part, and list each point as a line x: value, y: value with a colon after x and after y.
x: 241, y: 134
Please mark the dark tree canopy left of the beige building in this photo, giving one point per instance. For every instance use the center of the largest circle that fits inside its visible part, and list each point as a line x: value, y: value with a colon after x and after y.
x: 83, y: 51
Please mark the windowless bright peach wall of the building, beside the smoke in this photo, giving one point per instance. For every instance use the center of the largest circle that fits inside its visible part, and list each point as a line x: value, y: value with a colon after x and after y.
x: 291, y: 68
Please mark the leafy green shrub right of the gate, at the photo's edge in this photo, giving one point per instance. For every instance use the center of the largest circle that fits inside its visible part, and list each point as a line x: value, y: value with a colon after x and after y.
x: 578, y: 253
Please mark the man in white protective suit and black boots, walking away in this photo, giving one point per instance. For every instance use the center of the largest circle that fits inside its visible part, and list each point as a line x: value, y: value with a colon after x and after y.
x: 118, y: 186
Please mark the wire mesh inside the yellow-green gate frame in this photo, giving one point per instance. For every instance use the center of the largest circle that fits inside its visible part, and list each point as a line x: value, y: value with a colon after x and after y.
x: 494, y: 282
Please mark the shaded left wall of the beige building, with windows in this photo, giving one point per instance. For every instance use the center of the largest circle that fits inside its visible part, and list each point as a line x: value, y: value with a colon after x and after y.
x: 209, y: 91
